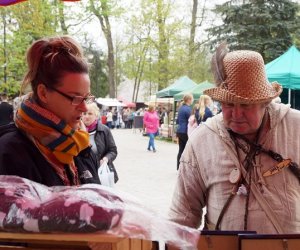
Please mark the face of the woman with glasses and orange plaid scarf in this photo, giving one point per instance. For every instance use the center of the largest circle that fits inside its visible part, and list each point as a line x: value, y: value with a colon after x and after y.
x: 72, y: 84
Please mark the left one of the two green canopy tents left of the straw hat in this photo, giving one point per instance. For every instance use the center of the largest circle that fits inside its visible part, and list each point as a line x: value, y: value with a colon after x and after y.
x: 179, y: 85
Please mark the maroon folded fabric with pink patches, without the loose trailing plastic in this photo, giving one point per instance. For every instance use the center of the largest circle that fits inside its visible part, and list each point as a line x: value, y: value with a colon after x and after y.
x: 31, y: 207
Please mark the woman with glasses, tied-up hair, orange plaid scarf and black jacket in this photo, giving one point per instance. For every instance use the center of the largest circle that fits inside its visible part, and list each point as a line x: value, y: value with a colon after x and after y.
x: 48, y: 145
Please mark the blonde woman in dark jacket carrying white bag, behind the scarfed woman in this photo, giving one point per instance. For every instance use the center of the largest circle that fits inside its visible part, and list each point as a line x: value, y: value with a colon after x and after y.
x: 101, y: 139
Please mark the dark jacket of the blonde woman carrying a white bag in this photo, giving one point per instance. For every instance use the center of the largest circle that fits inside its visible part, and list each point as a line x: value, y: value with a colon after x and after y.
x: 106, y: 146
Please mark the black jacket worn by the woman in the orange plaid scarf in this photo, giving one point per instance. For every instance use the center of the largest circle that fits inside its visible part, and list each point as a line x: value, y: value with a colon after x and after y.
x: 19, y: 156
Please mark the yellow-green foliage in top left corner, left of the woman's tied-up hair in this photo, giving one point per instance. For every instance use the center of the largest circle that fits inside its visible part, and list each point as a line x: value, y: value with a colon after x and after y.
x: 23, y: 23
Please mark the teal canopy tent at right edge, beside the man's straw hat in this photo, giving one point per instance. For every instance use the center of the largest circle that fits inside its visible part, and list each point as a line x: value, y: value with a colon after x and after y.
x: 285, y: 70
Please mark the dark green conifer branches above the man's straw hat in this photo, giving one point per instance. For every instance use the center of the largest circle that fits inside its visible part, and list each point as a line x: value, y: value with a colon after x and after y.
x: 266, y: 26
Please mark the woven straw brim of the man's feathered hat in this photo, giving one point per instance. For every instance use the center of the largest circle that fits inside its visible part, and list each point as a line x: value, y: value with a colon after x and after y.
x: 224, y: 95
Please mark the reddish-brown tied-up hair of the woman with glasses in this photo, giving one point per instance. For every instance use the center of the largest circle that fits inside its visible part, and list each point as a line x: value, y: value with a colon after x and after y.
x: 49, y: 59
